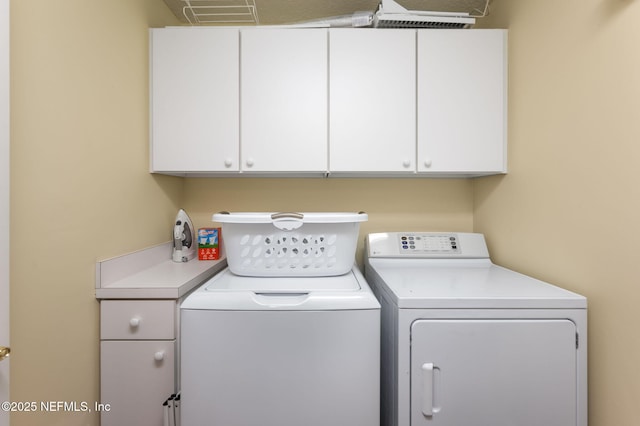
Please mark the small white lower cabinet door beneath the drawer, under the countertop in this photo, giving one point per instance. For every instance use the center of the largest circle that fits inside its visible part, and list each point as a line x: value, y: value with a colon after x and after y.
x: 134, y: 382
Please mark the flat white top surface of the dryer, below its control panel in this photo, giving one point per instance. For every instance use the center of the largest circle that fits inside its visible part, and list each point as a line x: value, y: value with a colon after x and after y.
x: 468, y: 283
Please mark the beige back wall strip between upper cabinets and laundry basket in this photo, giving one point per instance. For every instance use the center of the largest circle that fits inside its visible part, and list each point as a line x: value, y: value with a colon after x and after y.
x: 392, y: 204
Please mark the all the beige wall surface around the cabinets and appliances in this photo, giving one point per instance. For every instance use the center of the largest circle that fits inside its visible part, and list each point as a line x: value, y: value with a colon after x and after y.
x: 80, y: 189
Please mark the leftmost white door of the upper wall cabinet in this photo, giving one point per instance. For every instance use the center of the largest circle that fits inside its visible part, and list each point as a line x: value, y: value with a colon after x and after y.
x: 194, y: 99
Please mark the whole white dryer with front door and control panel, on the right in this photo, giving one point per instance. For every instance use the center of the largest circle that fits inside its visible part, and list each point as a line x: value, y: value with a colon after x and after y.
x: 466, y: 342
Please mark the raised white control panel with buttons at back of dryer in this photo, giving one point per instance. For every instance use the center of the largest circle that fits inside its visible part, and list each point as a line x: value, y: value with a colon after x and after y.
x: 427, y: 245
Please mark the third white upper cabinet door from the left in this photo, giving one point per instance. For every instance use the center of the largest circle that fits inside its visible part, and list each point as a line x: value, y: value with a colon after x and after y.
x: 372, y: 100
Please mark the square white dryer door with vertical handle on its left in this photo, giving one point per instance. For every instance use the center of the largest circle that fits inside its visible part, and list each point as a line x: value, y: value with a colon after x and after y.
x: 486, y: 372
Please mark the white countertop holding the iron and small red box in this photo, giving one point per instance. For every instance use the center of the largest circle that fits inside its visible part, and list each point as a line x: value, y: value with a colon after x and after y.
x: 151, y: 274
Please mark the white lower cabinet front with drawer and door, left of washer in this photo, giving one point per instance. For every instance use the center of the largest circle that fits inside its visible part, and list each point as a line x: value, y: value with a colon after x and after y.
x: 138, y: 358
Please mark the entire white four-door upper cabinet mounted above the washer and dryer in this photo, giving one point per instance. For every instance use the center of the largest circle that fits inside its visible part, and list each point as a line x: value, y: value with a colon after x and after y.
x: 313, y: 101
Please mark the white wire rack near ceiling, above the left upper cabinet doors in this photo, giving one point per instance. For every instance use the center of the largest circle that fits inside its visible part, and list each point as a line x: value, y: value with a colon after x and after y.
x: 220, y: 12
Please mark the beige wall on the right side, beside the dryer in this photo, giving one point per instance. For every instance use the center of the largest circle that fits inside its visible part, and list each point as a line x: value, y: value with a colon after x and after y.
x: 568, y: 210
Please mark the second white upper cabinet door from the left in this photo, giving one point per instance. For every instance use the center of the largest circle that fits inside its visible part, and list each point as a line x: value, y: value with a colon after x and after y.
x: 284, y: 100
